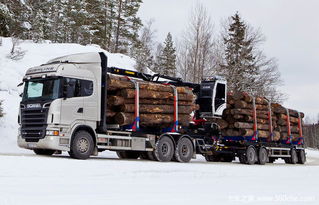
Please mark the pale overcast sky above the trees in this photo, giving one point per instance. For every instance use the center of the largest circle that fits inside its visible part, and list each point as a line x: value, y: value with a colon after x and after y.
x: 291, y: 28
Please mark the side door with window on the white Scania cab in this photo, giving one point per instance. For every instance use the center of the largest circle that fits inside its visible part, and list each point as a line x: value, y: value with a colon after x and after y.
x: 72, y: 105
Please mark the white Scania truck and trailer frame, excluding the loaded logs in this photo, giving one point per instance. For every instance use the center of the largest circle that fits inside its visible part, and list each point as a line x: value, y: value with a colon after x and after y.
x: 64, y: 105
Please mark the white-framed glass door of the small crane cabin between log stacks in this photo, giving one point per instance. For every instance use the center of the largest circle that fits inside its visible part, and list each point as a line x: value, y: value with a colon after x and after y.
x: 220, y: 98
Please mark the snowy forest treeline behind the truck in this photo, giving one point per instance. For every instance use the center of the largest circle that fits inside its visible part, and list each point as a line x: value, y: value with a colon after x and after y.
x: 232, y: 50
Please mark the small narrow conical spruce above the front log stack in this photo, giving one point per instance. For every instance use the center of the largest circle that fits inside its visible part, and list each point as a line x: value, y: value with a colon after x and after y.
x: 167, y: 59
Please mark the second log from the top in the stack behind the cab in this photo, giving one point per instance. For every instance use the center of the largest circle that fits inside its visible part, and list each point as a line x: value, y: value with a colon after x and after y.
x: 130, y: 93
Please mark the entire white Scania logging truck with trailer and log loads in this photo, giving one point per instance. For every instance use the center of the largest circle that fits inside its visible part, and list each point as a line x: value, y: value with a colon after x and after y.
x: 79, y: 105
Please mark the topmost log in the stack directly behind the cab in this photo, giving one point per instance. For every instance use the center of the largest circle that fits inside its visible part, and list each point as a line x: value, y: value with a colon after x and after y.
x: 116, y: 82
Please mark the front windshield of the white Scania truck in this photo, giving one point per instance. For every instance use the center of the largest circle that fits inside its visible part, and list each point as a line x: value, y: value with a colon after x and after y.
x: 42, y: 89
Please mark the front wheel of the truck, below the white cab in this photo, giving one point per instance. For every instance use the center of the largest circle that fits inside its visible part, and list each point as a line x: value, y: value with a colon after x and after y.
x: 82, y: 145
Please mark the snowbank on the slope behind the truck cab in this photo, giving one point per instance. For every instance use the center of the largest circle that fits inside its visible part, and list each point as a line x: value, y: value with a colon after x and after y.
x: 11, y: 73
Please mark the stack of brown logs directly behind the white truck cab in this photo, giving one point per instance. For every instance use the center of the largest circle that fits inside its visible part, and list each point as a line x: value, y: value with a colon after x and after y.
x: 156, y: 103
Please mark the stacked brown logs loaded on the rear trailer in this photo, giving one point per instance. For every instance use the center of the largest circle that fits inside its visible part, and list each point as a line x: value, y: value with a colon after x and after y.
x: 238, y: 118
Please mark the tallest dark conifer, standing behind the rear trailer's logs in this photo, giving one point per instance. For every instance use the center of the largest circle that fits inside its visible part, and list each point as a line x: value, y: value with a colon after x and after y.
x: 240, y: 68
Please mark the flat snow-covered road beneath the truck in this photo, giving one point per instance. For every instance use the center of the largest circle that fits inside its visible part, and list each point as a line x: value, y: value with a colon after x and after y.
x: 30, y: 179
